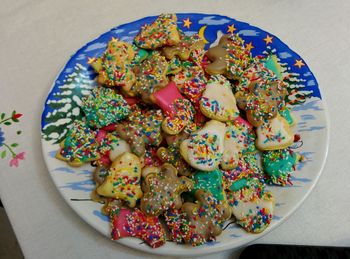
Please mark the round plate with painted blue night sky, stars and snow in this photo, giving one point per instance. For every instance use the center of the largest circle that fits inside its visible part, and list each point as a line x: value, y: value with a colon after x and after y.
x: 77, y: 79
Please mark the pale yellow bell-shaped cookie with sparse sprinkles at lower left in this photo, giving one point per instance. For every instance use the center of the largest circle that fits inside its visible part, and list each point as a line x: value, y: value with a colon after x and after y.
x: 123, y: 181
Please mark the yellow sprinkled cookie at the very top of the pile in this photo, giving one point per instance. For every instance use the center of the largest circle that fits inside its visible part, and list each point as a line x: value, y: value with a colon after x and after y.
x: 162, y: 32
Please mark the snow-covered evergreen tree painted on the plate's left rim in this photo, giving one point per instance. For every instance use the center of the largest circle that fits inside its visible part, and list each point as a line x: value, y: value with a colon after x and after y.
x: 65, y: 103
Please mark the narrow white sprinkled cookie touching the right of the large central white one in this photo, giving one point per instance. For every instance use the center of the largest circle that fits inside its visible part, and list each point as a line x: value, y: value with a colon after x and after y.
x: 239, y: 140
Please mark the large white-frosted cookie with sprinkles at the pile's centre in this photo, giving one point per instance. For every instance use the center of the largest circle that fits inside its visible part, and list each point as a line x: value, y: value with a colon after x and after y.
x: 204, y: 148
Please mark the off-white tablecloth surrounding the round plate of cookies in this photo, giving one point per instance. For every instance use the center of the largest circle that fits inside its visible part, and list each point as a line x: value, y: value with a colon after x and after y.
x: 37, y: 38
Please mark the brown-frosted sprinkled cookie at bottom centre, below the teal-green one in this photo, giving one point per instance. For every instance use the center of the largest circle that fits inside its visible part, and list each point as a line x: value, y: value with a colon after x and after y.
x: 205, y: 216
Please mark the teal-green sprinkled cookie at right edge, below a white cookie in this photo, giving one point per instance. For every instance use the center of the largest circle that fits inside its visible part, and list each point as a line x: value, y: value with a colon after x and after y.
x: 279, y: 164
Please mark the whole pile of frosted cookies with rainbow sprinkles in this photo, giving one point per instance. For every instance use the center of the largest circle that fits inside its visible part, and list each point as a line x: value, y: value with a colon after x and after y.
x: 182, y: 138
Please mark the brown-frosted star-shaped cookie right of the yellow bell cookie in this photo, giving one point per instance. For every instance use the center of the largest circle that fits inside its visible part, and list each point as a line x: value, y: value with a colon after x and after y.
x: 163, y: 190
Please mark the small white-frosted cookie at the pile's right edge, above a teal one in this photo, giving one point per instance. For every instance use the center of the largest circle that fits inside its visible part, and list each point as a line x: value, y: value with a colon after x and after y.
x: 274, y: 134
